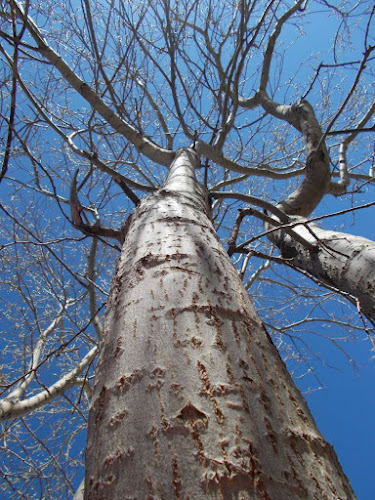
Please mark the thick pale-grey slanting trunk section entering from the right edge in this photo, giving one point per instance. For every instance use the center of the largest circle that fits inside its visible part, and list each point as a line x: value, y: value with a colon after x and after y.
x: 343, y: 261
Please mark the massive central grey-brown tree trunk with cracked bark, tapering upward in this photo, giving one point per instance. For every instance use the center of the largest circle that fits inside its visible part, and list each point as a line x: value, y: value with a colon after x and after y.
x: 191, y: 398
